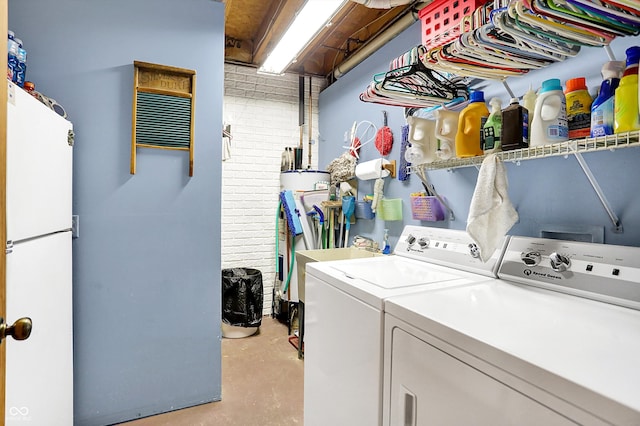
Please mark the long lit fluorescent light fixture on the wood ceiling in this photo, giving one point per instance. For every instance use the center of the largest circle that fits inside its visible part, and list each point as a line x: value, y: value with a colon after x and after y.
x: 313, y: 16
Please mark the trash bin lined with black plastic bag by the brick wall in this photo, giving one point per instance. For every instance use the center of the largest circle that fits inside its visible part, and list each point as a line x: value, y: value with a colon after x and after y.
x: 241, y: 302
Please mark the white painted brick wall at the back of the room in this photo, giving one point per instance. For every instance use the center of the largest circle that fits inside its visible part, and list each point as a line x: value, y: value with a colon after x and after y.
x: 263, y: 114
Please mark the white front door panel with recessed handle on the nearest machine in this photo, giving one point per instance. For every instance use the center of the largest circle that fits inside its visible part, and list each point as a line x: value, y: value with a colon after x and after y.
x: 431, y: 387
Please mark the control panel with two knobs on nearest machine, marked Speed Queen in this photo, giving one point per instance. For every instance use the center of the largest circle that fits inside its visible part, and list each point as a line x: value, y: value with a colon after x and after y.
x: 603, y: 272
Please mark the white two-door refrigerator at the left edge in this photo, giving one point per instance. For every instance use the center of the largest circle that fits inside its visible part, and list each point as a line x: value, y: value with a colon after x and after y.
x: 39, y: 372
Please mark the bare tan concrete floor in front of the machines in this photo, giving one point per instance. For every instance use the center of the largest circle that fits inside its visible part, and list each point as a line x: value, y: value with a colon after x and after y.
x: 262, y: 385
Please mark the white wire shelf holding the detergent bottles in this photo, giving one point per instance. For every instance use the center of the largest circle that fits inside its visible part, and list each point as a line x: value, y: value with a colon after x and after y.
x: 611, y: 142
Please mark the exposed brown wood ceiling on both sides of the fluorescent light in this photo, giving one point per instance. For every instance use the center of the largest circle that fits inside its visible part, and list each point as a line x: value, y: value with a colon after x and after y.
x: 253, y: 27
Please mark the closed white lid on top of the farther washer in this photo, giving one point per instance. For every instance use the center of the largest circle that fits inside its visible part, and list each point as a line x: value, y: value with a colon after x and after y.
x: 393, y: 272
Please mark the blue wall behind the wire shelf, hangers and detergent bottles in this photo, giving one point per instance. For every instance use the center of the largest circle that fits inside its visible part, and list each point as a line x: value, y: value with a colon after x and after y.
x: 547, y: 193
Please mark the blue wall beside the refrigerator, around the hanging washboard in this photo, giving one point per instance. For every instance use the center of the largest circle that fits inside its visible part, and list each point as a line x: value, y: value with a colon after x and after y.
x: 147, y: 263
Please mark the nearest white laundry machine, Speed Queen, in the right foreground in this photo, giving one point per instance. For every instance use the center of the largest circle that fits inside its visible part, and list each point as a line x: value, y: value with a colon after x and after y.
x: 511, y: 351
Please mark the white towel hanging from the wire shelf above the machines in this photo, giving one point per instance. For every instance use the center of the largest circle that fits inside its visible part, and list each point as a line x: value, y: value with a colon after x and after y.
x: 491, y: 213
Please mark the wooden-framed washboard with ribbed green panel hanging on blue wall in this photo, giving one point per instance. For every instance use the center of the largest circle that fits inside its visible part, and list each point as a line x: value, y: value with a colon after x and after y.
x: 163, y: 109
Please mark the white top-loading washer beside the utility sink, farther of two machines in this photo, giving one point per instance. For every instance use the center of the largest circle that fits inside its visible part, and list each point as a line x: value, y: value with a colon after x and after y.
x: 344, y: 318
